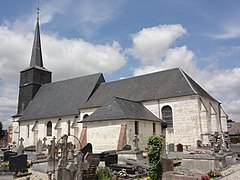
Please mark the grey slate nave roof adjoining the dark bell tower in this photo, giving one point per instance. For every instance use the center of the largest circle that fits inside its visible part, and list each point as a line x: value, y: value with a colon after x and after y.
x: 62, y: 98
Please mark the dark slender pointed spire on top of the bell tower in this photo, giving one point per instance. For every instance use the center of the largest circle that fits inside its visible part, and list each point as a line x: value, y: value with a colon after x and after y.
x: 36, y: 58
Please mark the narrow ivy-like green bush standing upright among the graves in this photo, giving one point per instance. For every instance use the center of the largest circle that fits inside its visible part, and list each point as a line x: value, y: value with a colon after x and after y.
x: 155, y: 147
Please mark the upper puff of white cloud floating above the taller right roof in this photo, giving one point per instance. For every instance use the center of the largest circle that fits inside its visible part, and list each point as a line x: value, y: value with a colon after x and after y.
x: 151, y: 44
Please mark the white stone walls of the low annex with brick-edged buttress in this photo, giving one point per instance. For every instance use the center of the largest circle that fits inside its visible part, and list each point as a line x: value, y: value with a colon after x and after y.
x: 104, y: 135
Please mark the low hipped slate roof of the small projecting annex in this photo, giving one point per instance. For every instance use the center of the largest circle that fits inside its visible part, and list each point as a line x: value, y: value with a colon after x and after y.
x: 117, y: 109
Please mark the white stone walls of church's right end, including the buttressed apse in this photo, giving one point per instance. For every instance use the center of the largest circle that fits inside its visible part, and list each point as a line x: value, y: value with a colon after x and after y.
x: 194, y: 118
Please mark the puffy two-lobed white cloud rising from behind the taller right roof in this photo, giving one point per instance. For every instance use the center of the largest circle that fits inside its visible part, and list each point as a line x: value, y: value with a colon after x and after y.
x: 153, y: 47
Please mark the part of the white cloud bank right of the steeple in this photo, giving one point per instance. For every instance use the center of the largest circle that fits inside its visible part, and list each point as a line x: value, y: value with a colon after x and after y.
x: 74, y: 57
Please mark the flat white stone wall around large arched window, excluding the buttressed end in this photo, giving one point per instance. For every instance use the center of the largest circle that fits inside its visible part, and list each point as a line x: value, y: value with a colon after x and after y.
x: 185, y: 114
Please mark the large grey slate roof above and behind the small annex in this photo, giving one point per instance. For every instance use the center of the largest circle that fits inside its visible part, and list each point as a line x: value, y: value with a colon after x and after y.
x: 160, y: 85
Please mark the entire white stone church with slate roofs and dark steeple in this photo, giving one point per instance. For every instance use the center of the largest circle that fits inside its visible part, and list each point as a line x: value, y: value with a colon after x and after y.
x: 110, y: 114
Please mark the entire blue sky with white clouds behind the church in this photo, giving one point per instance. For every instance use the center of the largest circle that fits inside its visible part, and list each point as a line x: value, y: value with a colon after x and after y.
x: 123, y: 38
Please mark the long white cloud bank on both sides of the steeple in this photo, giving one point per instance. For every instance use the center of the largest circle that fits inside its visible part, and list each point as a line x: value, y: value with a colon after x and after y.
x: 64, y: 57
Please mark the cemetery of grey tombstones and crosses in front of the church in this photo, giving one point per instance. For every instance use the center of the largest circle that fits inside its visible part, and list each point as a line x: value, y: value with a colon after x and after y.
x: 61, y: 160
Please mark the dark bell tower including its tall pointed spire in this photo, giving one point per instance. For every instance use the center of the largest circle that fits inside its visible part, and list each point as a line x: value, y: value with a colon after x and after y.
x: 33, y: 77
